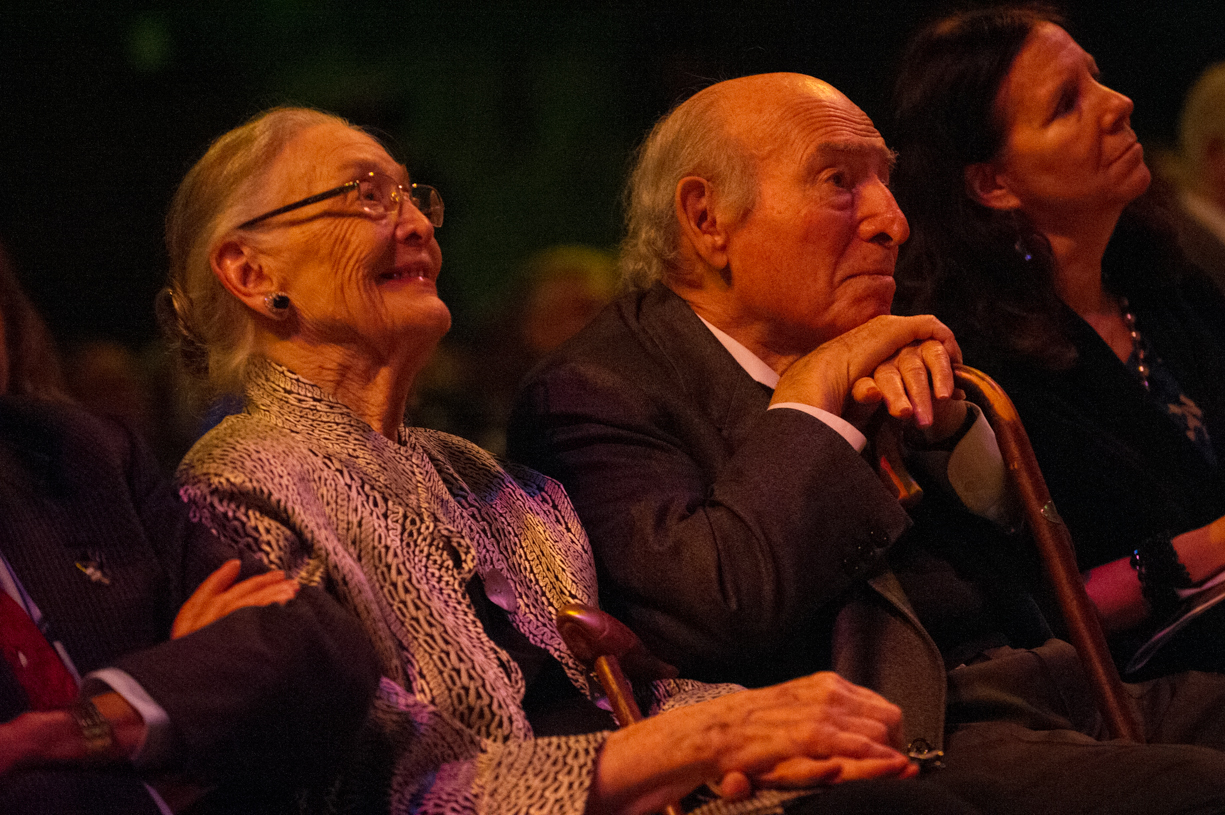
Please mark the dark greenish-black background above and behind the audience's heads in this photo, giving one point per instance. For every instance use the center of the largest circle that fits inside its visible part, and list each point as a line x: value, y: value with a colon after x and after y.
x: 524, y: 115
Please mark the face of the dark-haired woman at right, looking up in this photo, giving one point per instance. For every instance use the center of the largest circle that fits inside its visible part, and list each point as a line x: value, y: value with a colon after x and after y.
x: 1069, y: 144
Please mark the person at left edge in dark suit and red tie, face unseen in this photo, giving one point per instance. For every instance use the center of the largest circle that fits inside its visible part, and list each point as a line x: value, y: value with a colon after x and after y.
x: 247, y: 696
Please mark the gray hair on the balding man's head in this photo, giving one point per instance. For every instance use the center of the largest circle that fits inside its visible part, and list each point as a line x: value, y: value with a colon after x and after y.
x: 692, y: 140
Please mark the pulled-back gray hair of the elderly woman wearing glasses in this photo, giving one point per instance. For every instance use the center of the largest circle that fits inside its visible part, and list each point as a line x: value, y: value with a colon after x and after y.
x: 213, y: 330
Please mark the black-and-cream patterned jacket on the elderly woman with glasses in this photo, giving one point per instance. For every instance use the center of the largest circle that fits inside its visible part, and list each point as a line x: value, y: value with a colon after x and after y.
x: 396, y: 531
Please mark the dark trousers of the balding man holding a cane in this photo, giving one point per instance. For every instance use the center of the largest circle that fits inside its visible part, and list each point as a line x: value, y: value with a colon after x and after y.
x: 1022, y: 741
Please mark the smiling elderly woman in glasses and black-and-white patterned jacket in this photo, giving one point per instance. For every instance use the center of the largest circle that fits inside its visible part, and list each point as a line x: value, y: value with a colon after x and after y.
x: 304, y: 267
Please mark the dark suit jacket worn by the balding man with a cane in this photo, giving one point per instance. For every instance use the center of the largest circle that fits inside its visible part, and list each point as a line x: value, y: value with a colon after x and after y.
x: 743, y: 545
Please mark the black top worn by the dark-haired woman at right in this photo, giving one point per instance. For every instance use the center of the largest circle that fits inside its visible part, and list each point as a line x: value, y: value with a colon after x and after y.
x: 1120, y: 464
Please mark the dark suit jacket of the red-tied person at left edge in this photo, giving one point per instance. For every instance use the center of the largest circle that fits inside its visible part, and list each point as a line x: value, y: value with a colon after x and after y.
x: 265, y: 699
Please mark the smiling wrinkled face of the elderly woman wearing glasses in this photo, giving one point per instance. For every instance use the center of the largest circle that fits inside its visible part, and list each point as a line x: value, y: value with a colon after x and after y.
x: 362, y: 282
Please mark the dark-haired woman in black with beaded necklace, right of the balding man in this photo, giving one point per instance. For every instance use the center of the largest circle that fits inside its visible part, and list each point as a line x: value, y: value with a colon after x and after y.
x: 1017, y: 166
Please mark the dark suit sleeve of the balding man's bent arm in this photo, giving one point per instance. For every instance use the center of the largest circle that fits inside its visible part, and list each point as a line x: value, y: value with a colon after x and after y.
x: 716, y: 551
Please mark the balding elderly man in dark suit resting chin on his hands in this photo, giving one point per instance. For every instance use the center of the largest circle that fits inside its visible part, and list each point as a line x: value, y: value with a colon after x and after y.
x: 707, y: 427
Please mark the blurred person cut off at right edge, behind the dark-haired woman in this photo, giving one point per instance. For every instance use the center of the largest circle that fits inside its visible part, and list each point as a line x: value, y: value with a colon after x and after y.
x: 1200, y: 173
